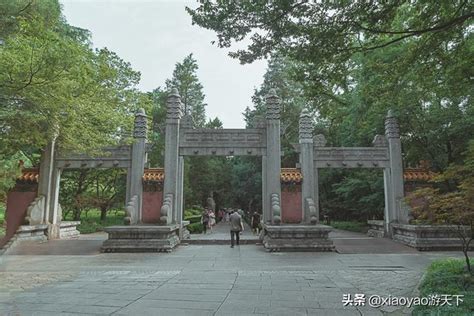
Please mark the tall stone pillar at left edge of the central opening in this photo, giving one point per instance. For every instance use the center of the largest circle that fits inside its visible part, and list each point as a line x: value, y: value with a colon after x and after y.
x: 170, y: 188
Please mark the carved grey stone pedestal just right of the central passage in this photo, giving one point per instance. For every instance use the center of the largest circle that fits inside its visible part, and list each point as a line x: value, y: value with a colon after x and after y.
x: 297, y: 238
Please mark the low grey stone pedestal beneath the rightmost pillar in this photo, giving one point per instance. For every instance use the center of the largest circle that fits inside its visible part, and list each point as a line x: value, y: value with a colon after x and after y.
x: 427, y: 237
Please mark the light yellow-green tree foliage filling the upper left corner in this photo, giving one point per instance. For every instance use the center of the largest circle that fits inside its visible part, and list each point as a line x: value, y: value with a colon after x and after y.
x: 53, y: 84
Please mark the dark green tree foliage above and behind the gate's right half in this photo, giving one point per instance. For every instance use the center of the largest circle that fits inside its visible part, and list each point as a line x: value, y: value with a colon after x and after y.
x: 351, y: 63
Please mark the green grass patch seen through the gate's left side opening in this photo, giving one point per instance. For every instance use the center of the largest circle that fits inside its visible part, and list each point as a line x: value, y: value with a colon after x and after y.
x: 91, y: 223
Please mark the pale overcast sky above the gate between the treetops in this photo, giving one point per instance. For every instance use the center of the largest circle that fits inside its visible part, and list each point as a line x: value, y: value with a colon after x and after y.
x: 154, y: 35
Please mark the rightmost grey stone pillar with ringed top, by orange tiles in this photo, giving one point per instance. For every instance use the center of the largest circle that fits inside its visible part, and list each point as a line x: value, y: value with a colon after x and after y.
x: 396, y: 193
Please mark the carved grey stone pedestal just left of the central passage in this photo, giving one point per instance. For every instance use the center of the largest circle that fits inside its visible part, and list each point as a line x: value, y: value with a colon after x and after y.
x: 141, y: 238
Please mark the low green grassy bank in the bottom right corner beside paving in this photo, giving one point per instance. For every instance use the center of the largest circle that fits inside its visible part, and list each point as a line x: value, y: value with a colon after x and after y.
x: 448, y: 276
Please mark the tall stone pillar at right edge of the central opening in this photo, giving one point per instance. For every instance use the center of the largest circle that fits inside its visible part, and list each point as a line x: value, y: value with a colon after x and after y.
x: 273, y: 159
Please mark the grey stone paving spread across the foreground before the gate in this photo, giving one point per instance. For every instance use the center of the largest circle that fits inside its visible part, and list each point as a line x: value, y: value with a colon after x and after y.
x: 204, y: 280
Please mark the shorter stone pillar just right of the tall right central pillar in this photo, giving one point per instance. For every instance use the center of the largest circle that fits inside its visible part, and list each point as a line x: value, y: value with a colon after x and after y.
x: 307, y: 166
